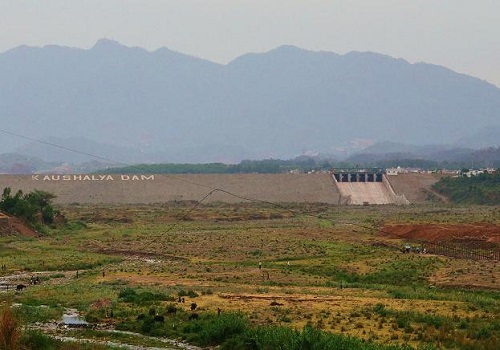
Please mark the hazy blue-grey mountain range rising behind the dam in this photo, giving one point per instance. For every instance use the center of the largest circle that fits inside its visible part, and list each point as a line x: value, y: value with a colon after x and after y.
x: 130, y: 105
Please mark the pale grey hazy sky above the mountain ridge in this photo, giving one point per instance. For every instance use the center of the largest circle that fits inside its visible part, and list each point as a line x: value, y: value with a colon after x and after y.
x: 463, y: 35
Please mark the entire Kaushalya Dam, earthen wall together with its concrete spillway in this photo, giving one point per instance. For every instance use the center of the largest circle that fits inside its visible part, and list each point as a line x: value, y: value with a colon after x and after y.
x: 231, y: 188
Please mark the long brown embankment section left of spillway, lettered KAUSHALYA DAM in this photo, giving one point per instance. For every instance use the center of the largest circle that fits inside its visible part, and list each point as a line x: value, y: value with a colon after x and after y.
x: 145, y: 189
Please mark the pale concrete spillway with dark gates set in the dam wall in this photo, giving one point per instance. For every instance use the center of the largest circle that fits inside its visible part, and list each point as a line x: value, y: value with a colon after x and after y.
x: 358, y: 192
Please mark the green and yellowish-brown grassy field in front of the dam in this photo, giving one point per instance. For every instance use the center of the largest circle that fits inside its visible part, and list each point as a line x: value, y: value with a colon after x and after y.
x: 315, y: 269
